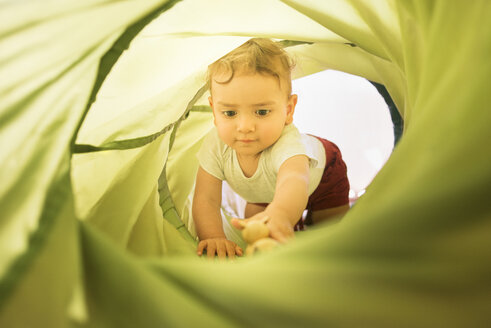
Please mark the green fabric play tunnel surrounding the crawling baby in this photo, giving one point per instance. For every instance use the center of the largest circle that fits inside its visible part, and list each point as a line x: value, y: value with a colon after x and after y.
x: 102, y: 110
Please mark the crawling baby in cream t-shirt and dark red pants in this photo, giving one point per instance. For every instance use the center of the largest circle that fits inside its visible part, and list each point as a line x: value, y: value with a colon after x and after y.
x: 260, y: 153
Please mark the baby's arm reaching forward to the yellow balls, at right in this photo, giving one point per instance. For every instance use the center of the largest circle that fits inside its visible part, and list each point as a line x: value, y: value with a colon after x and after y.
x: 290, y: 198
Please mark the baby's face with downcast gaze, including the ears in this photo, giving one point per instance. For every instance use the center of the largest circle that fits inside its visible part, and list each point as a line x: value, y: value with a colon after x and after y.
x: 250, y: 112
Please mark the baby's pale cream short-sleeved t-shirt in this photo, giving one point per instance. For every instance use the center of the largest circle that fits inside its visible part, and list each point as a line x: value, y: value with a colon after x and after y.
x: 218, y: 159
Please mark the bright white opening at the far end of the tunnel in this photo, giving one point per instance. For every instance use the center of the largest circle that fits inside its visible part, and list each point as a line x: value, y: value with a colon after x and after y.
x: 350, y: 112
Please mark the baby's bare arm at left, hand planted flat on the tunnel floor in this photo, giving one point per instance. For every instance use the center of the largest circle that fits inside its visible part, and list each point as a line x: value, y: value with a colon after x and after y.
x: 206, y: 214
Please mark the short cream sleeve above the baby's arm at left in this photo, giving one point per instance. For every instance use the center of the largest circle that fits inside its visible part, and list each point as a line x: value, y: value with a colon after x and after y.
x: 210, y: 155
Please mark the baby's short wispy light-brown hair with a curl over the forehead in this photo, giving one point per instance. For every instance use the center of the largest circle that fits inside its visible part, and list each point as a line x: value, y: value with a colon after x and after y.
x: 257, y: 55
